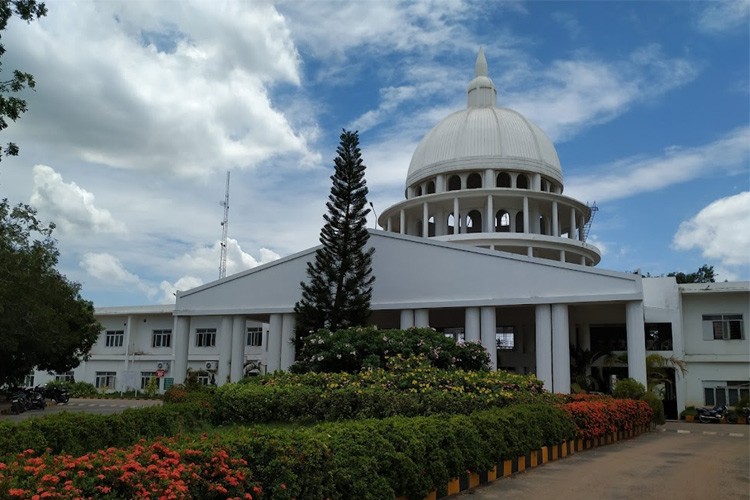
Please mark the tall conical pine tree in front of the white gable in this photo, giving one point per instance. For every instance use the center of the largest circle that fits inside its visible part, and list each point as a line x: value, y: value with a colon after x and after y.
x: 340, y: 277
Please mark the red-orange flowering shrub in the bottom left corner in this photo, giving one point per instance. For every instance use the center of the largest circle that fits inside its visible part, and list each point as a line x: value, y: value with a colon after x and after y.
x: 163, y: 469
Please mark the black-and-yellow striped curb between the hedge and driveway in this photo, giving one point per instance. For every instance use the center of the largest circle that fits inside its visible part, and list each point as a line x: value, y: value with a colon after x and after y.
x: 508, y: 467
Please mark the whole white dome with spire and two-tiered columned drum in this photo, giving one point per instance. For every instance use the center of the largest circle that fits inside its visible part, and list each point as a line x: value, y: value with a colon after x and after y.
x: 489, y: 177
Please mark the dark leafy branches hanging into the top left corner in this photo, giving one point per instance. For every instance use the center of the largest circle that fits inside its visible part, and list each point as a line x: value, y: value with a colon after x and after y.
x: 12, y: 107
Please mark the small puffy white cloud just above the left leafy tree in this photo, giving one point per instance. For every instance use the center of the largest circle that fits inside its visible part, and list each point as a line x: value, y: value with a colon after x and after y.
x: 68, y: 205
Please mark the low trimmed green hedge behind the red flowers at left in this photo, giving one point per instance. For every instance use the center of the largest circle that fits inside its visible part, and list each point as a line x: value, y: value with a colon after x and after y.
x: 78, y: 433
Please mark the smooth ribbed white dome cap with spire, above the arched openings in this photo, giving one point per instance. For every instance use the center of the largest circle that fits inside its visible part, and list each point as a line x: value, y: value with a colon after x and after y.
x: 484, y: 136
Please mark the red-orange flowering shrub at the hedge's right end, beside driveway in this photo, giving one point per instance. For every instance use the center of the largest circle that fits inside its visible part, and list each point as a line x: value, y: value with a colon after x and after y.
x: 597, y: 418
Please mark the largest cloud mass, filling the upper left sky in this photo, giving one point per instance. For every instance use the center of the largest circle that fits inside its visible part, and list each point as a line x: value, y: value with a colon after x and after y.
x: 184, y: 90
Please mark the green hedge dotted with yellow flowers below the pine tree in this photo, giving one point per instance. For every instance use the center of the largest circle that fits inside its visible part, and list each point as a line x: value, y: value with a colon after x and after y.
x: 425, y: 390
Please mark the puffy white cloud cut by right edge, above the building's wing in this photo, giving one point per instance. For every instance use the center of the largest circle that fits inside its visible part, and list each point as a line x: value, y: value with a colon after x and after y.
x: 719, y: 231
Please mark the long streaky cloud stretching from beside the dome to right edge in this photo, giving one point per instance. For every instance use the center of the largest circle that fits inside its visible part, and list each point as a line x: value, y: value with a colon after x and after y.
x: 729, y: 154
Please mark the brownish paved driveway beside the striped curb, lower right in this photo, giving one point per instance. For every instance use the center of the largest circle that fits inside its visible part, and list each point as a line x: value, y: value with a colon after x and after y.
x: 680, y: 461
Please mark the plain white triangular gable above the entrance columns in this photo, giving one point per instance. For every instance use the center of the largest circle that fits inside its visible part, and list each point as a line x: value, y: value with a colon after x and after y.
x: 412, y: 272
